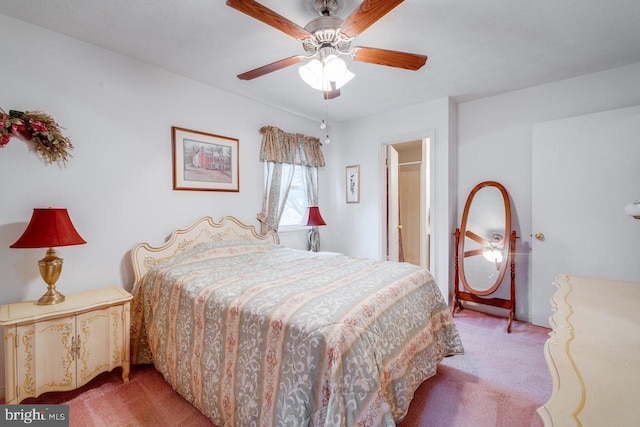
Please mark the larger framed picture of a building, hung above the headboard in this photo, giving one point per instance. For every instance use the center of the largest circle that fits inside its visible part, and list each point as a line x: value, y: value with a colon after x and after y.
x: 204, y: 162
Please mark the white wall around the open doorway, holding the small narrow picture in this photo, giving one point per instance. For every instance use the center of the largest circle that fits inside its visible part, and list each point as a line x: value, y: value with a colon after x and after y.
x: 359, y: 229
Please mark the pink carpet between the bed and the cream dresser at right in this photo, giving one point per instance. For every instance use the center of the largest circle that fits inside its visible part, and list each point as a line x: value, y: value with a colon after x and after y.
x: 500, y: 380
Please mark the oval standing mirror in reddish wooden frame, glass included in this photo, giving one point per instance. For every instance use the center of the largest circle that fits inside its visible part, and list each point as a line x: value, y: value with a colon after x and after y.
x: 484, y: 248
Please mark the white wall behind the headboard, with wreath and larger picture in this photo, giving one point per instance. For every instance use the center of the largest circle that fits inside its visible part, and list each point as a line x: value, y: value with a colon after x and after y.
x: 118, y: 186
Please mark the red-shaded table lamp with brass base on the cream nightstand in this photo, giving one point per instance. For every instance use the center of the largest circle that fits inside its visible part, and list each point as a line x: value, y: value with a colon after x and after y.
x: 49, y: 228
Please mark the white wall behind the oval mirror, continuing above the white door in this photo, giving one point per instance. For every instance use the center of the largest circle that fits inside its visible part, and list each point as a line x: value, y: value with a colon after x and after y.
x: 495, y: 137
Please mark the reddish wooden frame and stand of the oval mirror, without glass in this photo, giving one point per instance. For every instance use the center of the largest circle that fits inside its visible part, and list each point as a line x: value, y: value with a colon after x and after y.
x: 479, y: 296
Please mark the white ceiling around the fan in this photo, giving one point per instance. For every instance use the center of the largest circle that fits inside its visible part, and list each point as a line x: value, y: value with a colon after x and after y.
x: 475, y: 48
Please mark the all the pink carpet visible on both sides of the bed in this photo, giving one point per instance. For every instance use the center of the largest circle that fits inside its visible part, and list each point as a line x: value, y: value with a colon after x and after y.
x: 500, y: 381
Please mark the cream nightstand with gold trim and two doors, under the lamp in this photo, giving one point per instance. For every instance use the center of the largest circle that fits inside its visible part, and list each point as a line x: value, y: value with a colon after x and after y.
x: 64, y: 346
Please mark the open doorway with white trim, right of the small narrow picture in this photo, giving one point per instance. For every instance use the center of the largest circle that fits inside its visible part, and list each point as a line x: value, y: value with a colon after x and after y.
x: 408, y: 202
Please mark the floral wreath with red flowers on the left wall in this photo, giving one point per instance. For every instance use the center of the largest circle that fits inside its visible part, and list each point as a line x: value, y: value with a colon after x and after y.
x: 38, y: 128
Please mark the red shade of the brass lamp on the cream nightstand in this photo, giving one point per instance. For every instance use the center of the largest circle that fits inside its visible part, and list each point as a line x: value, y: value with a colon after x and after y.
x: 49, y: 228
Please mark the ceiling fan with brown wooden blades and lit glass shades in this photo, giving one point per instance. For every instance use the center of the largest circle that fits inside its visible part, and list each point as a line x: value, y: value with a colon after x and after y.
x: 328, y: 37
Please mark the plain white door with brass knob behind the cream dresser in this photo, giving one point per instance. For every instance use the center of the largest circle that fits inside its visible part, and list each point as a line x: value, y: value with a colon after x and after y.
x: 585, y: 170
